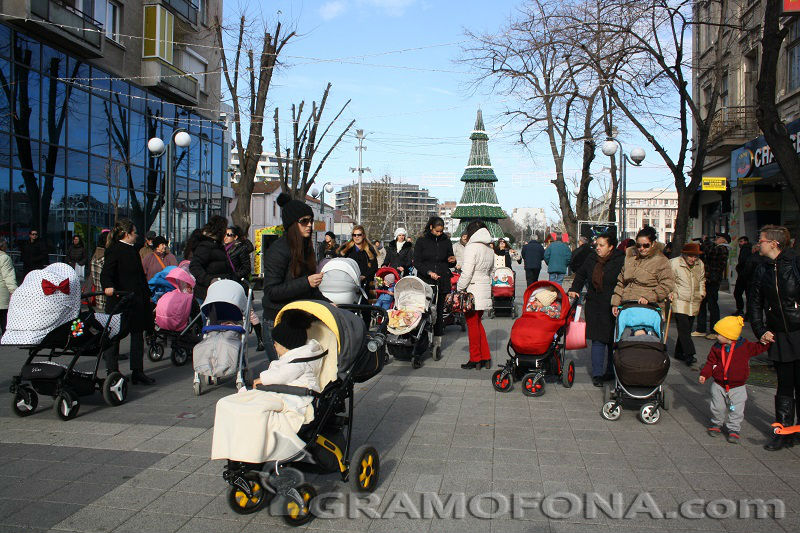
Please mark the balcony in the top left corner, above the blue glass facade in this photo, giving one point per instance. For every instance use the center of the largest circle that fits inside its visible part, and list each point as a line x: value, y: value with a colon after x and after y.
x: 68, y: 26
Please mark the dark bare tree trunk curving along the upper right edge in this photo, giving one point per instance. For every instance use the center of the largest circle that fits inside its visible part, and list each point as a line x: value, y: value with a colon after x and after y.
x: 769, y: 119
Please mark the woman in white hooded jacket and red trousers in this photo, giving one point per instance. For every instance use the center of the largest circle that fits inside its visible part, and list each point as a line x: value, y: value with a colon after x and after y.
x: 476, y: 278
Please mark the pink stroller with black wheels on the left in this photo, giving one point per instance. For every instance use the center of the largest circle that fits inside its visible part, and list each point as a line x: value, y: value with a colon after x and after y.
x: 178, y: 319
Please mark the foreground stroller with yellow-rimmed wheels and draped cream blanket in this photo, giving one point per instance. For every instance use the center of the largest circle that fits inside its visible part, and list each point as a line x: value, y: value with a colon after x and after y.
x: 323, y: 444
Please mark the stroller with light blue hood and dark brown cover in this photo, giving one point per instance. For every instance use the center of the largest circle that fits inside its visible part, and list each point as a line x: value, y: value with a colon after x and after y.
x: 641, y: 364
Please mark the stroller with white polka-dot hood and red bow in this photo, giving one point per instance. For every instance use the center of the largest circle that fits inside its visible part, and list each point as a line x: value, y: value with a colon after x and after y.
x: 45, y: 318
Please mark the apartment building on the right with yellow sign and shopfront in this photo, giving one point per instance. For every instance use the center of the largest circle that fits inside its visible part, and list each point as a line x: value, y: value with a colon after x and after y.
x: 752, y: 192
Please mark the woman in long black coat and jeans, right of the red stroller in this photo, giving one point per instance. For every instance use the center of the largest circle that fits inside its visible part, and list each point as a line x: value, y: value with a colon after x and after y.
x: 599, y: 272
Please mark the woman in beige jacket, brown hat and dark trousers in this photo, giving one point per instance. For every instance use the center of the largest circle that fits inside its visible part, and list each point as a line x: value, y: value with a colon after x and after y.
x: 690, y: 288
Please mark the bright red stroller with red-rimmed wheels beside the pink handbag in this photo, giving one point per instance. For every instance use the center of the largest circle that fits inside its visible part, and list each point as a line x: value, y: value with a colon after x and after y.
x: 537, y: 346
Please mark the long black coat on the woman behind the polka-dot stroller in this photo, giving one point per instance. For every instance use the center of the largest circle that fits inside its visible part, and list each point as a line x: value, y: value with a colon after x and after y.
x: 122, y: 271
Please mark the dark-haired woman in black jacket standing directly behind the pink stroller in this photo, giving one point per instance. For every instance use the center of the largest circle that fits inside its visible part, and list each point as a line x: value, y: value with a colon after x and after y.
x: 209, y: 260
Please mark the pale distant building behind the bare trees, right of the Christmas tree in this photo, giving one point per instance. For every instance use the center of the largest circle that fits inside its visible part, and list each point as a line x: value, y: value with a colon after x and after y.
x: 657, y: 208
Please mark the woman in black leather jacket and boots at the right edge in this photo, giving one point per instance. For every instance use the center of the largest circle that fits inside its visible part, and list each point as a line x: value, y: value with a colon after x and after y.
x: 774, y: 293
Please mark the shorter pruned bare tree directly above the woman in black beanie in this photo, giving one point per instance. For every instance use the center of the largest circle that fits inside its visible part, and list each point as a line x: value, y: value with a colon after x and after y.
x: 250, y: 105
